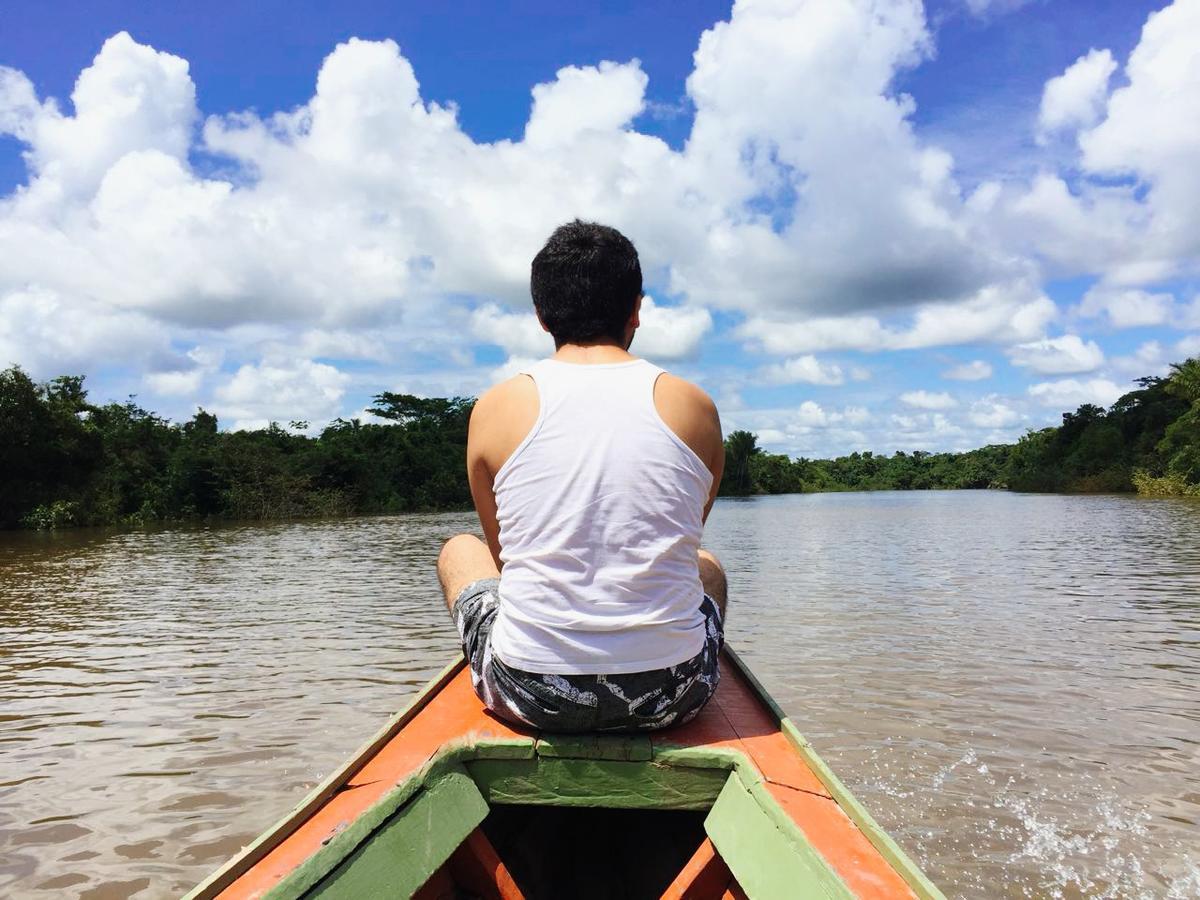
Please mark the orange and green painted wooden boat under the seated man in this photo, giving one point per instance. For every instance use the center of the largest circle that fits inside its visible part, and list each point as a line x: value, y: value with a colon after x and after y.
x: 448, y: 801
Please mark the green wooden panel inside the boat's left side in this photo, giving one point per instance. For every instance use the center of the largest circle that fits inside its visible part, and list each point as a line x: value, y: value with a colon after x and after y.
x: 406, y: 850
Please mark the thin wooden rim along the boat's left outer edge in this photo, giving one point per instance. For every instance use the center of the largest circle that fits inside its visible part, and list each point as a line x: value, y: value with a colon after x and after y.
x: 277, y: 835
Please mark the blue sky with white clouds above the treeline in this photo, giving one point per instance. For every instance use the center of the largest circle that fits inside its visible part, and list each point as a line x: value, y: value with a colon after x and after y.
x: 865, y: 225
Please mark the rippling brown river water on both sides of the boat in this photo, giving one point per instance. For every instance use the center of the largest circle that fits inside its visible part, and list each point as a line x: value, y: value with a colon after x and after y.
x: 1009, y: 682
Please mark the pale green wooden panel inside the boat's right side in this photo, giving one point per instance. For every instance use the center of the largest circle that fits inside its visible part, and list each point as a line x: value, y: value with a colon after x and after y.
x: 769, y: 862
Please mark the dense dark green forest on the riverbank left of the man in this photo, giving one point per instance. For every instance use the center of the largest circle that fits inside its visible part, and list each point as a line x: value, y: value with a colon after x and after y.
x: 65, y: 461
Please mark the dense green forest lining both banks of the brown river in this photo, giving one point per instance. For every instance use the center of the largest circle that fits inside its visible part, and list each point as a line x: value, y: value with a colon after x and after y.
x: 67, y: 461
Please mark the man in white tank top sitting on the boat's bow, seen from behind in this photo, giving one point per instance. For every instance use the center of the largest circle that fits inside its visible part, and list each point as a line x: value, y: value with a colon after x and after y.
x: 591, y: 607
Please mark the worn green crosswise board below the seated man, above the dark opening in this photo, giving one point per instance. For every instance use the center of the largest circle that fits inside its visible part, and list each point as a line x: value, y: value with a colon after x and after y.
x: 597, y: 783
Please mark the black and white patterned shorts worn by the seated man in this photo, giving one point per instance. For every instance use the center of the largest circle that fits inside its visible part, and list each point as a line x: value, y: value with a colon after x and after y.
x: 639, y: 701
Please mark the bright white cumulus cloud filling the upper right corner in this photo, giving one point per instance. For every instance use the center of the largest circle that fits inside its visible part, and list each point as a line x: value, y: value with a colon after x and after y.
x: 1133, y: 217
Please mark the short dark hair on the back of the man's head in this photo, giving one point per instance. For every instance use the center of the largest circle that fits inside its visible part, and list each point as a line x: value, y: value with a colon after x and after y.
x: 586, y: 283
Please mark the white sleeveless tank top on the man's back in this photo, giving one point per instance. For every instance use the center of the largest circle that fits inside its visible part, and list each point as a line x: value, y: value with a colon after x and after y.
x: 601, y: 512
